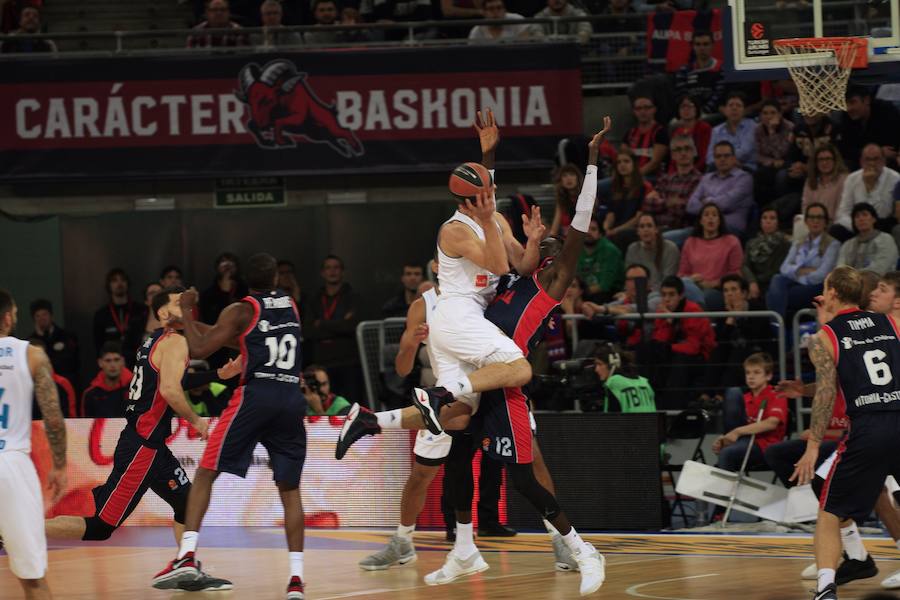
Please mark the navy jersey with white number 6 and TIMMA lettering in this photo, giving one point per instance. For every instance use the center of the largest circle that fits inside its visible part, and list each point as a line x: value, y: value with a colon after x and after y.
x: 867, y: 355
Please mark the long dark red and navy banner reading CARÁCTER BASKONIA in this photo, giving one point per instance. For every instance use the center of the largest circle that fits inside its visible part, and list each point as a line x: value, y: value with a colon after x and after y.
x: 287, y: 115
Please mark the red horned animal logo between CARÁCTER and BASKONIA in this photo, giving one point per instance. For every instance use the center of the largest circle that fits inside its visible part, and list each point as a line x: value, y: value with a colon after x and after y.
x: 284, y: 107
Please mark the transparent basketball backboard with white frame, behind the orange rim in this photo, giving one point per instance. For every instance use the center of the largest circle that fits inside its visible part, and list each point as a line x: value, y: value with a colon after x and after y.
x: 752, y: 26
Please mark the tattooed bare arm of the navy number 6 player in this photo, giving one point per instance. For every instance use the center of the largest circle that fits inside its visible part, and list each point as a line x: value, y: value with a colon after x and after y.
x: 822, y: 356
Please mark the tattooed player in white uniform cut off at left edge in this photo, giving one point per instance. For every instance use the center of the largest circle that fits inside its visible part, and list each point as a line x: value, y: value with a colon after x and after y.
x: 25, y: 372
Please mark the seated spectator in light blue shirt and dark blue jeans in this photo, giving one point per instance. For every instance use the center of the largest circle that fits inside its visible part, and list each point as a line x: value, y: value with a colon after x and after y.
x: 807, y: 264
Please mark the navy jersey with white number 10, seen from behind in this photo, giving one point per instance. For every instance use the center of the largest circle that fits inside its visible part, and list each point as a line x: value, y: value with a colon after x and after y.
x: 270, y: 346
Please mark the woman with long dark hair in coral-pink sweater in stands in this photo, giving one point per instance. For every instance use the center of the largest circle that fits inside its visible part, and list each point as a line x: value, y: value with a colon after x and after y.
x: 708, y: 255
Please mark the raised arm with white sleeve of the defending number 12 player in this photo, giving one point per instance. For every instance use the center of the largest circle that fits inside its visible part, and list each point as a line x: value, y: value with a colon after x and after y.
x: 564, y: 267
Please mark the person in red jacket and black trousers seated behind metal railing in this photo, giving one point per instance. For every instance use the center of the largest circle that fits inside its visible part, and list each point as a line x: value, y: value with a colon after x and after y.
x: 679, y: 347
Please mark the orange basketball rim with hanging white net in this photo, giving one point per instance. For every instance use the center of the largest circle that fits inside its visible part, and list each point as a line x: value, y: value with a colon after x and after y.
x: 821, y: 69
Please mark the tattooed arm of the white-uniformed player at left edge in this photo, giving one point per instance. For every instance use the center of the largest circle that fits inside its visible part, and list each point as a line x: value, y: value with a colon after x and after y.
x: 54, y: 424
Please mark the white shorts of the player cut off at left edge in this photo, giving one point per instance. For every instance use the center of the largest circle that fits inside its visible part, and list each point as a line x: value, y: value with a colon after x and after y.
x: 22, y: 516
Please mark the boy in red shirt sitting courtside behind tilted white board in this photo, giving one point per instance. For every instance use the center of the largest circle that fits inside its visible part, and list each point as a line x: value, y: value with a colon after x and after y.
x: 741, y: 416
